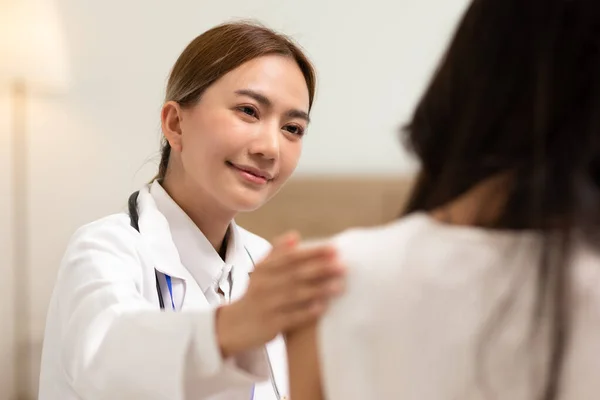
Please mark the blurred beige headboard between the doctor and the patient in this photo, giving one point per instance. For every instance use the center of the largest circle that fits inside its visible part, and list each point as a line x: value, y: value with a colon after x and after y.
x: 322, y: 206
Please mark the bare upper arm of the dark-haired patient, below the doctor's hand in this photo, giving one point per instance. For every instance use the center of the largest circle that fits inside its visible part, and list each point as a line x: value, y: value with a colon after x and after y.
x: 305, y: 376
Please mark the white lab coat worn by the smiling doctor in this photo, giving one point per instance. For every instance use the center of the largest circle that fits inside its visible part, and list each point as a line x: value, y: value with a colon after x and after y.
x: 106, y: 339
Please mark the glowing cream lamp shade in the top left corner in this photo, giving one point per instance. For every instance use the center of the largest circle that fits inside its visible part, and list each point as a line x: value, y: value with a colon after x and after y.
x: 32, y: 46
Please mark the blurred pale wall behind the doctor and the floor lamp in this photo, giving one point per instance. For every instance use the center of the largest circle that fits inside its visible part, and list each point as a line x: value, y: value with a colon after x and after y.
x: 92, y: 146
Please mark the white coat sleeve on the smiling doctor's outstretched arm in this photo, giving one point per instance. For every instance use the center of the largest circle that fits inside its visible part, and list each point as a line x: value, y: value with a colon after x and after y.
x: 116, y: 344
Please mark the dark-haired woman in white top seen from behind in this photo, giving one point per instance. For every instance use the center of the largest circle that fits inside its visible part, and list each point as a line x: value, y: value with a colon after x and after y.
x: 489, y: 286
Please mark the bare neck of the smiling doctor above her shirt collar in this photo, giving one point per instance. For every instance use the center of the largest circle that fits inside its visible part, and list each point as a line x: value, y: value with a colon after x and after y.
x: 211, y: 217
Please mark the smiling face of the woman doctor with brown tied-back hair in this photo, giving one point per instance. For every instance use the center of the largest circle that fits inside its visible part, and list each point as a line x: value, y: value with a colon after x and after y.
x: 243, y: 138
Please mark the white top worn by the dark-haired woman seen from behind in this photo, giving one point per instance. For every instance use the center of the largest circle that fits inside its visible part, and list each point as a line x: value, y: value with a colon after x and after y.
x: 422, y: 317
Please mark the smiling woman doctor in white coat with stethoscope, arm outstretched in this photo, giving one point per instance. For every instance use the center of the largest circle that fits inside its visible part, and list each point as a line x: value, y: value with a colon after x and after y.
x: 237, y: 106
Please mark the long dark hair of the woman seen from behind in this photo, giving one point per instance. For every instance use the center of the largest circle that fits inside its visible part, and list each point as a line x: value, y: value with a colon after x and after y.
x: 518, y: 91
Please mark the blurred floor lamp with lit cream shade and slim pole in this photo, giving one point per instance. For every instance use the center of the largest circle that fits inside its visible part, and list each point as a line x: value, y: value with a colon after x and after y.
x: 32, y: 63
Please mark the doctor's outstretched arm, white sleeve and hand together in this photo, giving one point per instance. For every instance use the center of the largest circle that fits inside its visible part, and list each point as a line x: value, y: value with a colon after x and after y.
x: 116, y: 344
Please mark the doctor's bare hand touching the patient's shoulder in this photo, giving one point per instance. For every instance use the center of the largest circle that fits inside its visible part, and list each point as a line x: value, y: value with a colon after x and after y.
x: 289, y: 288
